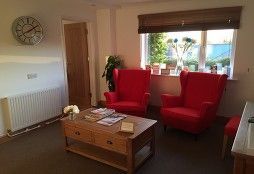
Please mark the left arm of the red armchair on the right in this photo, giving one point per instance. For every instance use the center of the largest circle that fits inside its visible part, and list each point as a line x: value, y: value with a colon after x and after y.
x: 171, y: 101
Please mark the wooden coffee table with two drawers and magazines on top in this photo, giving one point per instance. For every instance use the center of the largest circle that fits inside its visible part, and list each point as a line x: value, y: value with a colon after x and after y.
x: 107, y: 144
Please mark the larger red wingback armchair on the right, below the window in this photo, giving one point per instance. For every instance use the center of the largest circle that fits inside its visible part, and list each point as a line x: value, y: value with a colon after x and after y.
x: 195, y: 109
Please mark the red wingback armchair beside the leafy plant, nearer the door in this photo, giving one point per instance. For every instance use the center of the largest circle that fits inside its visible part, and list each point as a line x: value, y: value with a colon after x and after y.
x: 131, y: 94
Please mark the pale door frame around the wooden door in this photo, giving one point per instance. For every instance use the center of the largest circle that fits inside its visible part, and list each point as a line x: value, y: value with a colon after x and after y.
x: 91, y: 58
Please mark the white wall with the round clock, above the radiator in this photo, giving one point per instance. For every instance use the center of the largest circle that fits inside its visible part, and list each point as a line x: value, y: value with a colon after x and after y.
x: 46, y: 58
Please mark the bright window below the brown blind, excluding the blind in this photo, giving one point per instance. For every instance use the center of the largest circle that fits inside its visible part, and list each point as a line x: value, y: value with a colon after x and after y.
x: 191, y: 50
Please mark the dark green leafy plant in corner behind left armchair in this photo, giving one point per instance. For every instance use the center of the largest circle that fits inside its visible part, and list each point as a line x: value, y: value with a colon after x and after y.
x: 112, y: 63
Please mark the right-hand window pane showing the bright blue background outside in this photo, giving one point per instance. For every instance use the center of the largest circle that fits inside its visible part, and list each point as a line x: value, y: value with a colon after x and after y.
x: 219, y: 50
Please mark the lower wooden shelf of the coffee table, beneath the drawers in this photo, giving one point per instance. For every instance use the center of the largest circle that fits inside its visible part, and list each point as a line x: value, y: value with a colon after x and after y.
x: 111, y: 158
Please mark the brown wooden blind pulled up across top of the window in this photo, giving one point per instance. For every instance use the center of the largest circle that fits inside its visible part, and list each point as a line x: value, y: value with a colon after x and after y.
x: 206, y: 19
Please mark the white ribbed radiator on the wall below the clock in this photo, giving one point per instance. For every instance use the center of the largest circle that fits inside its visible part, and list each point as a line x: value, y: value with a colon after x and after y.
x: 27, y: 109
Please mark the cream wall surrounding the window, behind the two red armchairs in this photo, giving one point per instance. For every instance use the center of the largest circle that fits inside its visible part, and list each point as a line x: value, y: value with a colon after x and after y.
x: 128, y: 46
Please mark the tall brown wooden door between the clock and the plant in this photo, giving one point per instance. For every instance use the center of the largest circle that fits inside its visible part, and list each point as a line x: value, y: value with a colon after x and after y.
x: 77, y: 65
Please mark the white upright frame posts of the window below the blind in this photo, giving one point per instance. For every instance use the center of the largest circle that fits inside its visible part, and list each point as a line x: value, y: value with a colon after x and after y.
x: 202, y: 53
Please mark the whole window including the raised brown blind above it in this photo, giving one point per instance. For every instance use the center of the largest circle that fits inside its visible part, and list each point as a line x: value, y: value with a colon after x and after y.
x: 196, y: 40
